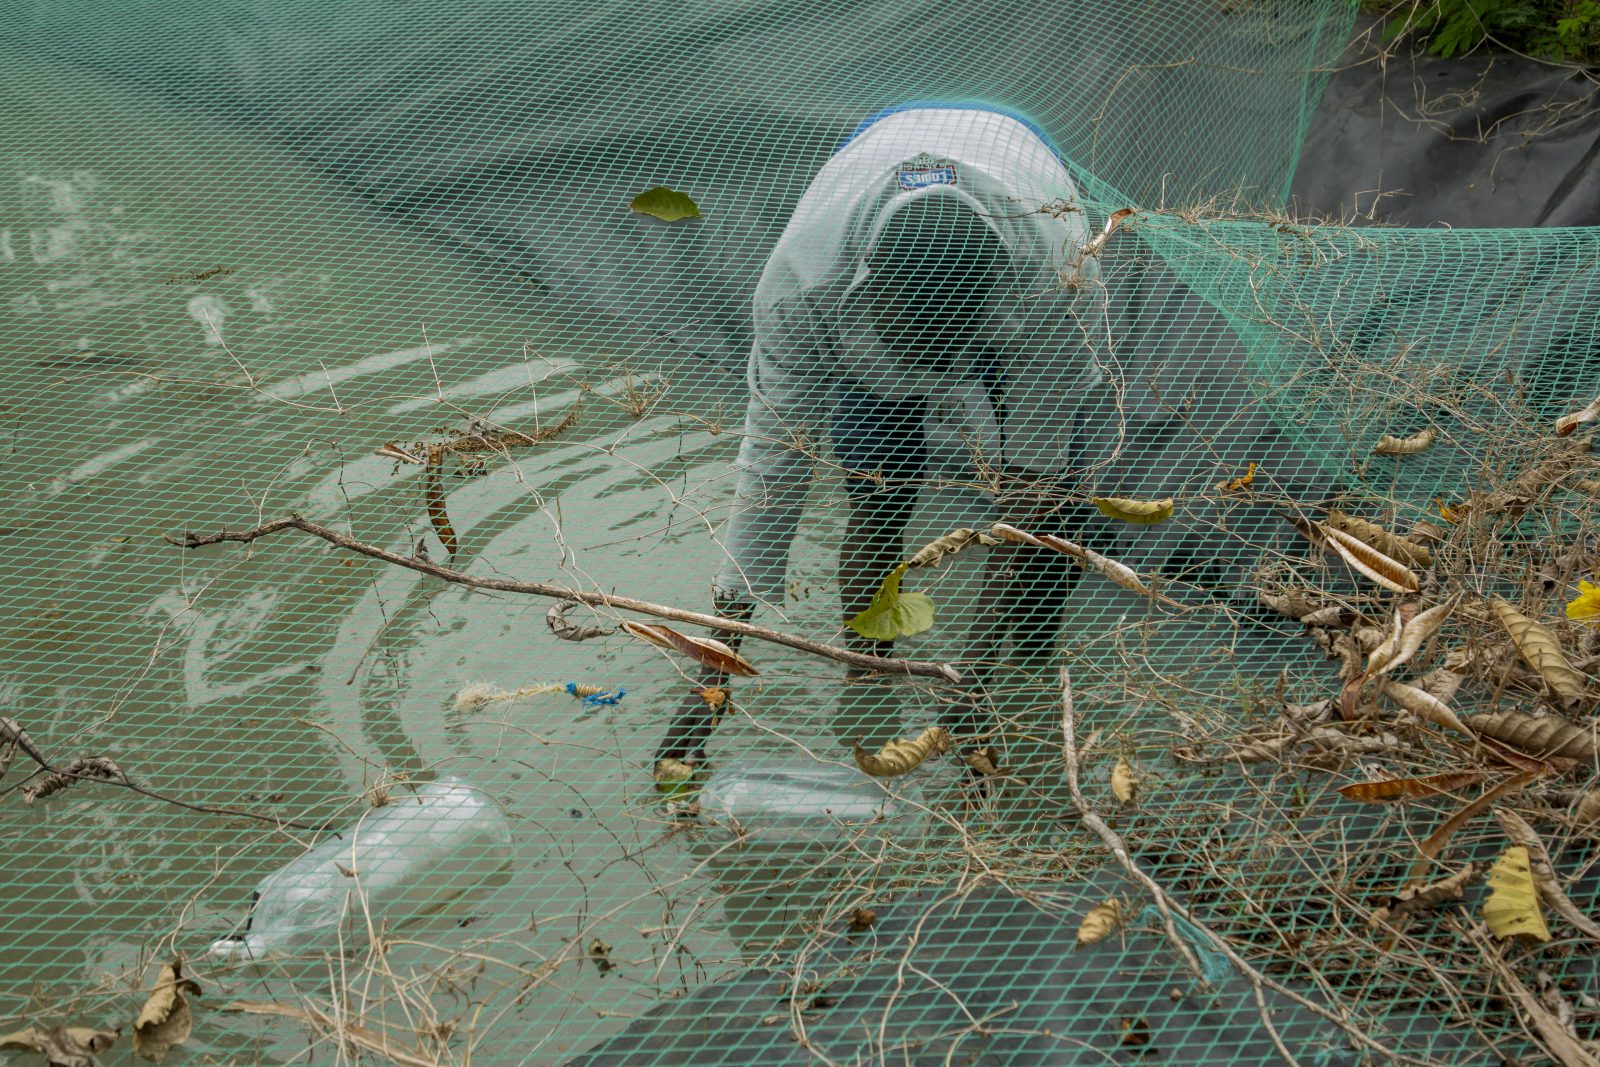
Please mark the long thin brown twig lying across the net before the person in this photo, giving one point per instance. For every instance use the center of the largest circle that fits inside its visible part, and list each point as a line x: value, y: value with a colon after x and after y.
x: 591, y: 599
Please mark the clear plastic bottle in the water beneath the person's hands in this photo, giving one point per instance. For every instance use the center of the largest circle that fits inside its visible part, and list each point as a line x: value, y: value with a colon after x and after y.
x: 802, y: 802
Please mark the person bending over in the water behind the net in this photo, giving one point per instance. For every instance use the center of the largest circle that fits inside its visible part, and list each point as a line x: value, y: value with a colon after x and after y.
x: 922, y: 305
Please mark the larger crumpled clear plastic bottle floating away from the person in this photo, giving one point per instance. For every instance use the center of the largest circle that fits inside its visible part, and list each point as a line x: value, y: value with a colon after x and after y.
x: 414, y: 857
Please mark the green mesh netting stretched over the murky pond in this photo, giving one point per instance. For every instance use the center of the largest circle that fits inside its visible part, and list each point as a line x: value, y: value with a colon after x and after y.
x: 274, y: 239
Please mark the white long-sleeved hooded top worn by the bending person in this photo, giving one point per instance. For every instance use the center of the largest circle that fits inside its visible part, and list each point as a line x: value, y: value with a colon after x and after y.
x: 815, y: 342
